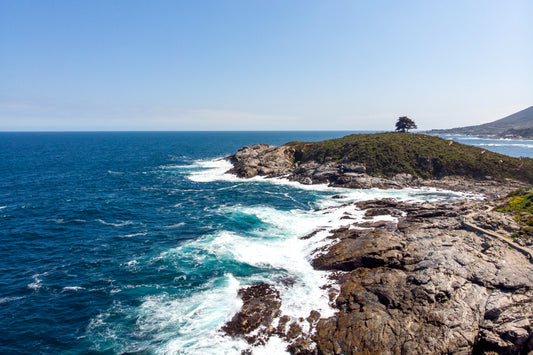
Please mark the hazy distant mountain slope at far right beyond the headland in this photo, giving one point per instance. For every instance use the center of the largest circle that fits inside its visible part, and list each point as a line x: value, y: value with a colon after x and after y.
x: 519, y: 124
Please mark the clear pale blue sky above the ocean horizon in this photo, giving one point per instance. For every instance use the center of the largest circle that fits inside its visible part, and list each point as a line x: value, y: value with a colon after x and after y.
x: 262, y: 65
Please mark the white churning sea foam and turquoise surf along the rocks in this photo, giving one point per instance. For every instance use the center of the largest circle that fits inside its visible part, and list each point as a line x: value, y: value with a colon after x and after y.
x: 256, y: 243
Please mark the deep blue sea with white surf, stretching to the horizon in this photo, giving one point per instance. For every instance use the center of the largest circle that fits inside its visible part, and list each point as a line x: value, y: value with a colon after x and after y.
x: 117, y: 243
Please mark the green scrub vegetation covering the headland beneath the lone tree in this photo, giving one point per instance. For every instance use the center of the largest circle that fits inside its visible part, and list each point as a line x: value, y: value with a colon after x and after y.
x: 425, y: 156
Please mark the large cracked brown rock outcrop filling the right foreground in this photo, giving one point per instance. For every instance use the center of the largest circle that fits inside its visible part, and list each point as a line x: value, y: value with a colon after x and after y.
x: 425, y: 290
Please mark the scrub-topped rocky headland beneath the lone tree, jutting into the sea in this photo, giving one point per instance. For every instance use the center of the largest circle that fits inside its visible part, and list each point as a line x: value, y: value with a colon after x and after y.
x: 385, y: 160
